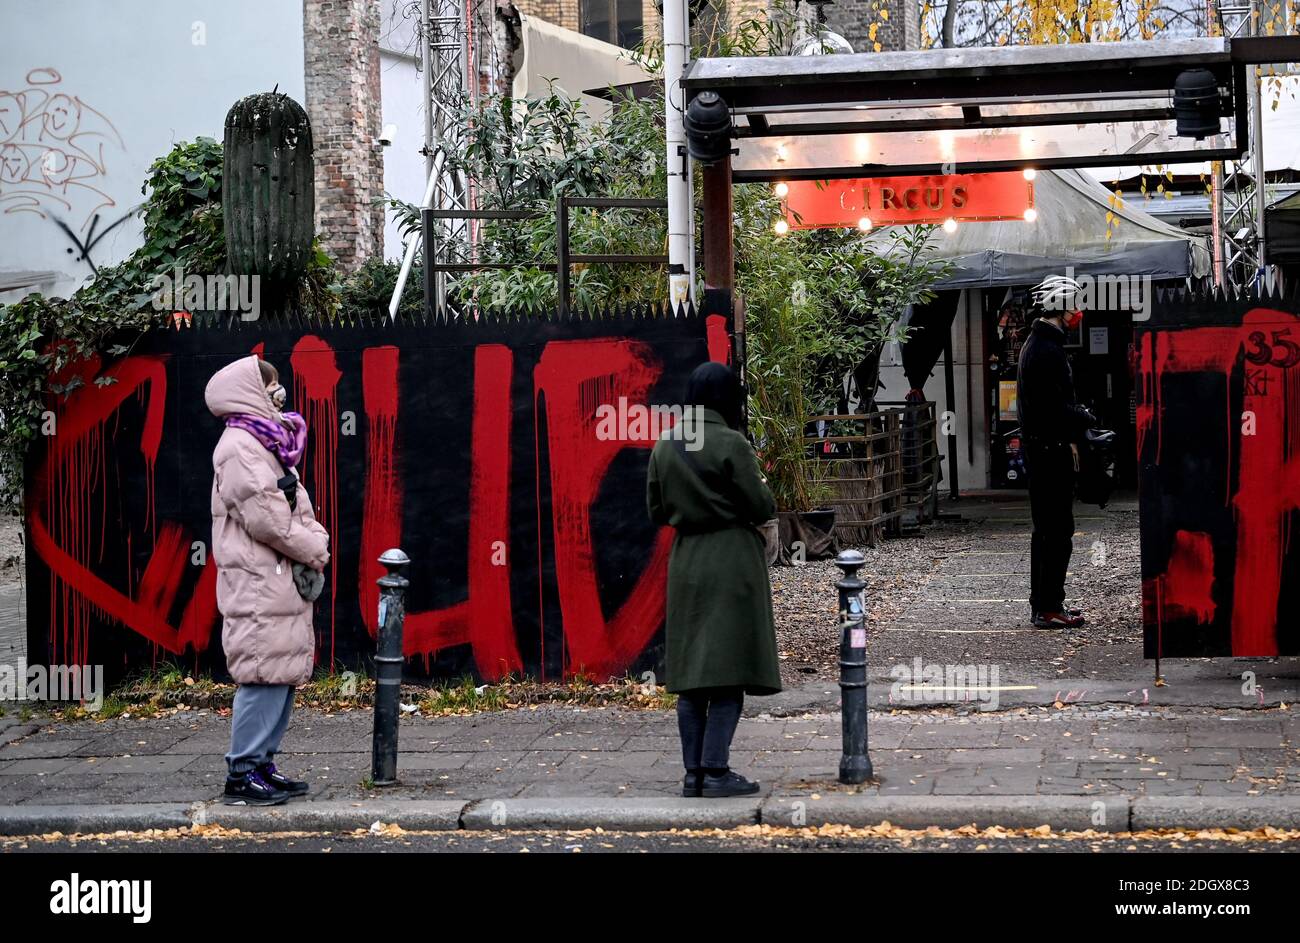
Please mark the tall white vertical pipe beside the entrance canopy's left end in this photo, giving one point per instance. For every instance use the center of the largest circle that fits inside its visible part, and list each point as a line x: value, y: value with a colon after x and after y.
x: 681, y: 248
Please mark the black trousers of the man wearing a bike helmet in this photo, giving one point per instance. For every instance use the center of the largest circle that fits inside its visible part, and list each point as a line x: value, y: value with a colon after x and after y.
x: 1052, y: 475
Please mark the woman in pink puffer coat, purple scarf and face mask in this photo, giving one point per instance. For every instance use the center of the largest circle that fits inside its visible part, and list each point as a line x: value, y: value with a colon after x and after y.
x: 262, y: 526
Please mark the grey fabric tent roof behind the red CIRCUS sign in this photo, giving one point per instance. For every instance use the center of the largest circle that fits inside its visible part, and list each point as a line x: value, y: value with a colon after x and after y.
x: 1071, y: 232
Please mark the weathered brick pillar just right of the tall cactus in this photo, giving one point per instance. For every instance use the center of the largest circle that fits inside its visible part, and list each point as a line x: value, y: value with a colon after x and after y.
x: 341, y: 41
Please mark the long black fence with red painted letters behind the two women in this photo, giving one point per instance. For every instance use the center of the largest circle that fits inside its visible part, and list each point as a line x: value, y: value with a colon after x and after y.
x: 475, y: 448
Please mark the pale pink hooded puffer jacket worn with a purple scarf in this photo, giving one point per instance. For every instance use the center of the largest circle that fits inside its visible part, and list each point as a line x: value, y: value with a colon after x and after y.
x: 267, y: 630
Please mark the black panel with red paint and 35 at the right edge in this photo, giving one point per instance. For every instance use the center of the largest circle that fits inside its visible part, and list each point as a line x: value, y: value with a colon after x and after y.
x: 1219, y: 444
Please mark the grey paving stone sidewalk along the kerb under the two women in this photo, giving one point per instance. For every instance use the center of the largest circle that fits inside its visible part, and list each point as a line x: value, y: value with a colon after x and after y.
x: 560, y: 752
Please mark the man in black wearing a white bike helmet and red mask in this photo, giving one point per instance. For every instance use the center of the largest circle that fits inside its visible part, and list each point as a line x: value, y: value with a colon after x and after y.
x: 1052, y: 425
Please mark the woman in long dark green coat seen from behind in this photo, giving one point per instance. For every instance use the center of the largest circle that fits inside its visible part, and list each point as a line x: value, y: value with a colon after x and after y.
x: 721, y: 637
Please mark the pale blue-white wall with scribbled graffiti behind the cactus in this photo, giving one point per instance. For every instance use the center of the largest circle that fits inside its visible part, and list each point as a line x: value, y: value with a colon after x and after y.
x: 93, y: 92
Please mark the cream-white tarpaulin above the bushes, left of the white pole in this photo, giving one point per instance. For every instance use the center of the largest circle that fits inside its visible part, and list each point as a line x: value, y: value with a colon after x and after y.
x: 552, y: 55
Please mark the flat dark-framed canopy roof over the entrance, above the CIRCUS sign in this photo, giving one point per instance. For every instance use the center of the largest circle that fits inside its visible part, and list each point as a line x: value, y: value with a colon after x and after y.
x: 970, y: 110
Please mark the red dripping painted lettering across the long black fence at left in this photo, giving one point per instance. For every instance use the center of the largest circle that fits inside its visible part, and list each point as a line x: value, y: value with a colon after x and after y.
x: 75, y: 539
